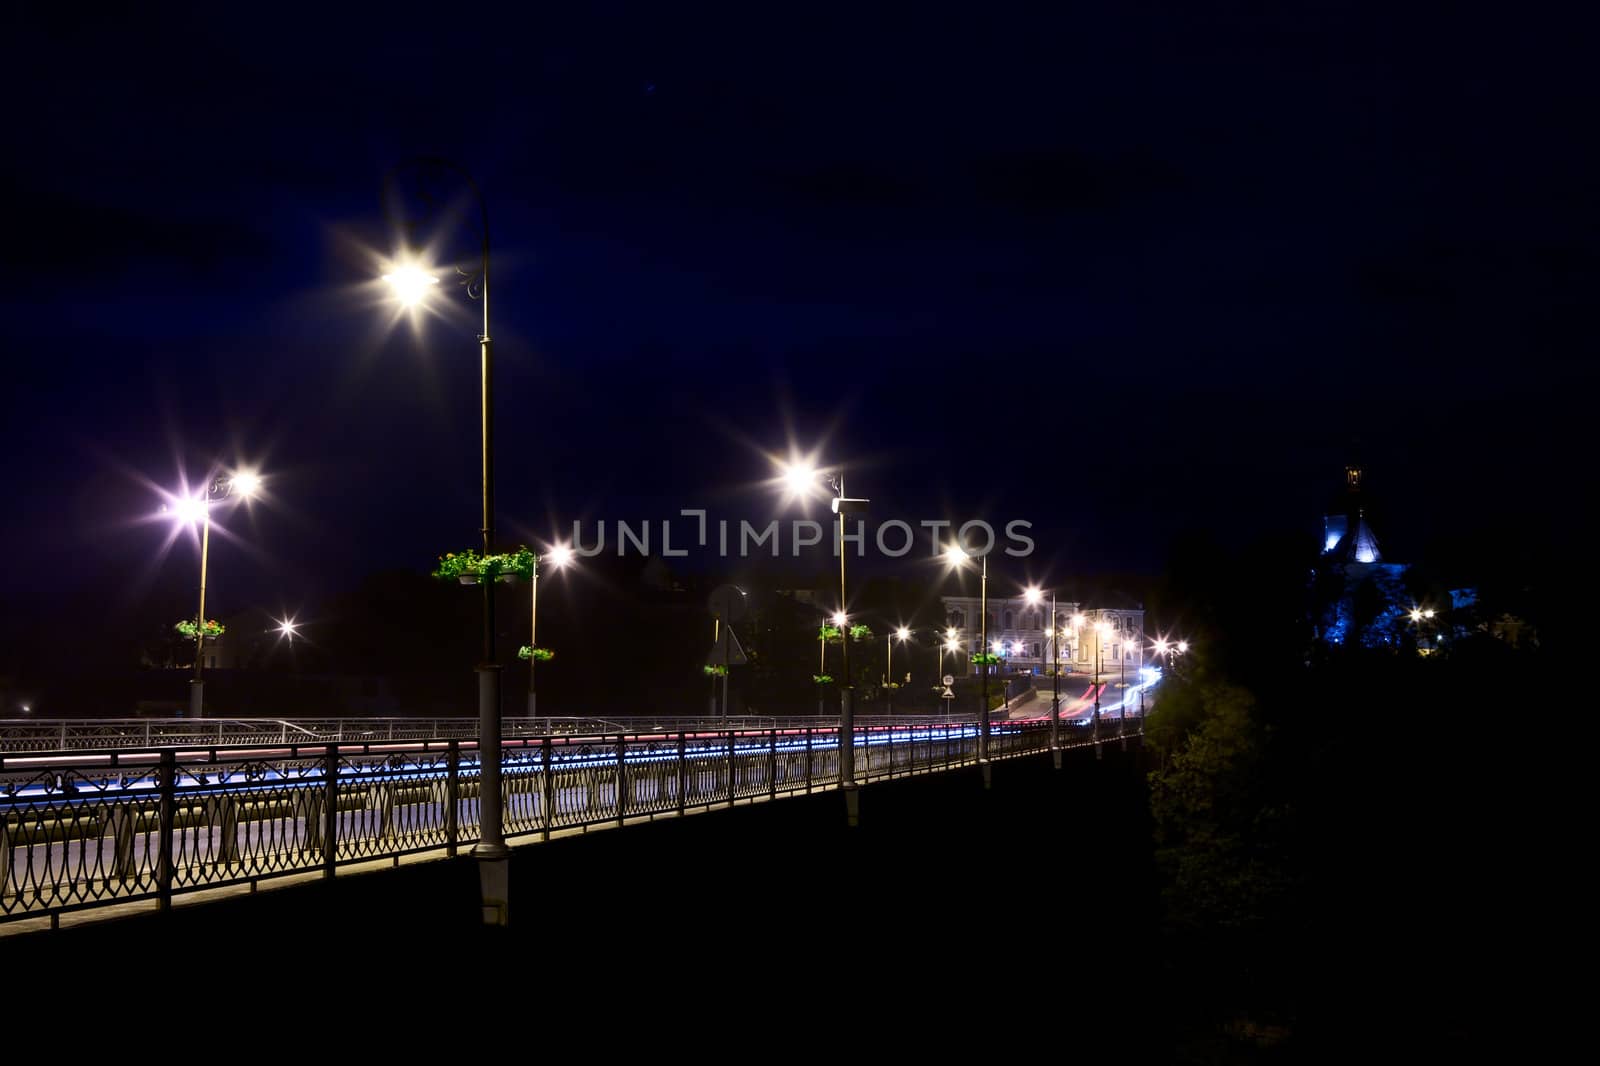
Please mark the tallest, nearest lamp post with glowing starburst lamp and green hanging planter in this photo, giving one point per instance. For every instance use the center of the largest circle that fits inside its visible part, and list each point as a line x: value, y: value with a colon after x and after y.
x: 412, y: 286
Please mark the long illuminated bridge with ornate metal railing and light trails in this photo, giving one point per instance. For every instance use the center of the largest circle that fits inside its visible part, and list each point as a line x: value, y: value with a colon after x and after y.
x: 135, y: 812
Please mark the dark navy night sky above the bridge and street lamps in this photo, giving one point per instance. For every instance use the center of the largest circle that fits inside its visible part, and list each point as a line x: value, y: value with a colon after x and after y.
x: 1124, y: 275
